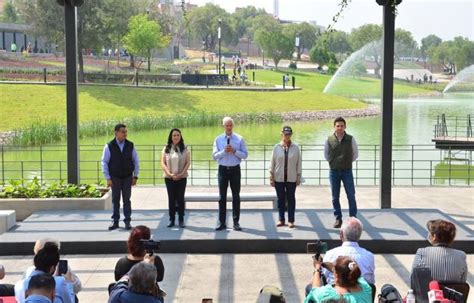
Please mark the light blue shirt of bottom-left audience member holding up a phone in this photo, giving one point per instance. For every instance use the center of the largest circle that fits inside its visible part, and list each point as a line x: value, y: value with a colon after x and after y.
x: 64, y: 292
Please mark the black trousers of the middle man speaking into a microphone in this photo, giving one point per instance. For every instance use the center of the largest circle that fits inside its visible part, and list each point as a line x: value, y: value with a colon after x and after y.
x: 229, y: 174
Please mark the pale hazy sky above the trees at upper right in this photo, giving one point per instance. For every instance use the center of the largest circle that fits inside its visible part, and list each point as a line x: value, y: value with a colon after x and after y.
x: 445, y: 18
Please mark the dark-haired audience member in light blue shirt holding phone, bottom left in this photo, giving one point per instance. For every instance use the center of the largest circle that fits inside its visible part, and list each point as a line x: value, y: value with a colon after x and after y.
x: 45, y: 262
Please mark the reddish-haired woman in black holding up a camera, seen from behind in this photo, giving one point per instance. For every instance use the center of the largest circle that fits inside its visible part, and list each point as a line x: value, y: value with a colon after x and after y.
x: 140, y: 246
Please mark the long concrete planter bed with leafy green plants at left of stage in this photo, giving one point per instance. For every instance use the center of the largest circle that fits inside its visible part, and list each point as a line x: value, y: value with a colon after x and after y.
x: 33, y: 197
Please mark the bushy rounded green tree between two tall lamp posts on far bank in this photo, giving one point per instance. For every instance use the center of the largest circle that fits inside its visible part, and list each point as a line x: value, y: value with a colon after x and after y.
x: 274, y: 43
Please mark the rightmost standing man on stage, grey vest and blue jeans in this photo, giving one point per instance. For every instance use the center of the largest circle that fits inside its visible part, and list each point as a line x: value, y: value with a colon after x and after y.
x: 340, y: 150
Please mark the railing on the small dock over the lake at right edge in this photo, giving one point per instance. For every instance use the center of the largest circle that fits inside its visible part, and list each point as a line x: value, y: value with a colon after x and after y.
x: 453, y: 128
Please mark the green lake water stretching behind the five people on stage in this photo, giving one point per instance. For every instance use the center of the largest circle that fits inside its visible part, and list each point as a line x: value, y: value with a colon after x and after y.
x: 416, y: 161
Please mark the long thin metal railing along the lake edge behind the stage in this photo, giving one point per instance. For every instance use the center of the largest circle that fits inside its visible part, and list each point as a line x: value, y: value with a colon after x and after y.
x: 411, y: 165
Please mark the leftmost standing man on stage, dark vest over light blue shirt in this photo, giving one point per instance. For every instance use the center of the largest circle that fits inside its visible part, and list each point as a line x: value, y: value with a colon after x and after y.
x: 120, y: 167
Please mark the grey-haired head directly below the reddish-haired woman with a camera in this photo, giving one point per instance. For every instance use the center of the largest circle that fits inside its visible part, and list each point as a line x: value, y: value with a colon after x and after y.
x: 142, y: 278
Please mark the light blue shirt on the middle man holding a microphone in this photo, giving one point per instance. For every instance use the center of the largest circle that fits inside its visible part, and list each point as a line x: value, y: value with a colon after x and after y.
x: 229, y: 159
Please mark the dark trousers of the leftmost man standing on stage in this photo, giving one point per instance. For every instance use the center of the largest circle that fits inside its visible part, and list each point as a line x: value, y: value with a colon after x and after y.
x: 122, y: 187
